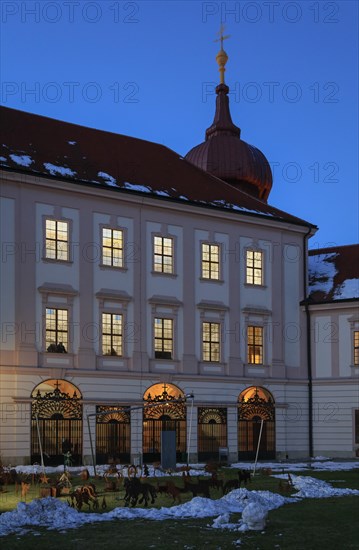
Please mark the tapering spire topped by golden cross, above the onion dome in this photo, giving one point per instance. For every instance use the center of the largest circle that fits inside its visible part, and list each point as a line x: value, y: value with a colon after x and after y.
x: 222, y: 123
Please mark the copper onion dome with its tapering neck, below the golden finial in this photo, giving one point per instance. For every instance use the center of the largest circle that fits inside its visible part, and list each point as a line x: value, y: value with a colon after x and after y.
x: 225, y: 155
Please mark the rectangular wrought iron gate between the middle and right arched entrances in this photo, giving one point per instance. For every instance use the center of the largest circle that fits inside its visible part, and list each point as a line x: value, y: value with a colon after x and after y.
x: 212, y: 431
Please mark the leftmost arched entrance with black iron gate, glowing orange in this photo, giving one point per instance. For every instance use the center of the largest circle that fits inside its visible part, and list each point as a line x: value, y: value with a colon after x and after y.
x: 56, y: 420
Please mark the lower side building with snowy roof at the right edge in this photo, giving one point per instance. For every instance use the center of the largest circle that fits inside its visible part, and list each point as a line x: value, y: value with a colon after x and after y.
x: 333, y: 306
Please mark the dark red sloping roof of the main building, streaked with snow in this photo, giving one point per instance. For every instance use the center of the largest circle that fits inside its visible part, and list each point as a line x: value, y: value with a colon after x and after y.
x: 45, y: 146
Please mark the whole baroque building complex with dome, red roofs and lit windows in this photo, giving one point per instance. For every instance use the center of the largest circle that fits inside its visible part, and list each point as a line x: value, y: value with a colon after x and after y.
x: 144, y: 293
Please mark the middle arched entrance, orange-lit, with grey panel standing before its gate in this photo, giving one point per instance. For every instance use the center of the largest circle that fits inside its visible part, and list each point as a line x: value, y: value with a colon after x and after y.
x: 166, y: 411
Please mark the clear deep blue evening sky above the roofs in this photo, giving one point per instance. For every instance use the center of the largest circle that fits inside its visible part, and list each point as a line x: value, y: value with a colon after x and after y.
x: 147, y: 69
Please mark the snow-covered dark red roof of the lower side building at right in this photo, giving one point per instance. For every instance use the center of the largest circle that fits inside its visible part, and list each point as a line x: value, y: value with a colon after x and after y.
x: 334, y: 273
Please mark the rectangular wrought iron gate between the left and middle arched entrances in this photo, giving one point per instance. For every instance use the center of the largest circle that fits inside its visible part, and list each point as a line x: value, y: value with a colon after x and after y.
x: 113, y: 435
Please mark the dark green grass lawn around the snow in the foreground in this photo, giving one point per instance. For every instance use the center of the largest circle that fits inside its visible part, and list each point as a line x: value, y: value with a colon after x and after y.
x: 310, y: 524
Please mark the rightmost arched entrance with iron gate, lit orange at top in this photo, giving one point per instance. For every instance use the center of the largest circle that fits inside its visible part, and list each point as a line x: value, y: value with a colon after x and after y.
x: 254, y: 405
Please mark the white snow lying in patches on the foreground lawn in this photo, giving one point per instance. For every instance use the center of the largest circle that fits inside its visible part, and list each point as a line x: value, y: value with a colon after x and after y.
x: 254, y: 506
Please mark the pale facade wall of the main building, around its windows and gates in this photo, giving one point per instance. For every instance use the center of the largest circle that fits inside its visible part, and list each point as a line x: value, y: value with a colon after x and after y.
x: 31, y: 283
